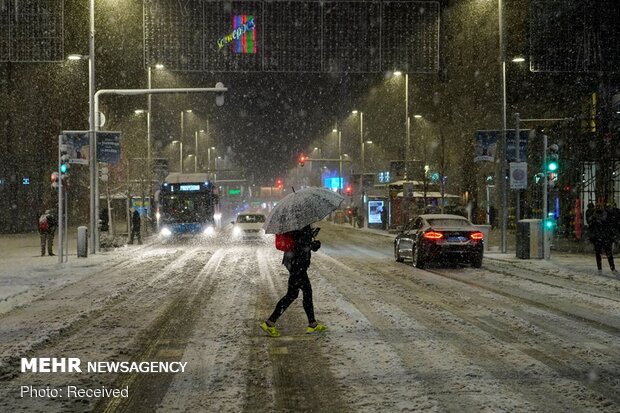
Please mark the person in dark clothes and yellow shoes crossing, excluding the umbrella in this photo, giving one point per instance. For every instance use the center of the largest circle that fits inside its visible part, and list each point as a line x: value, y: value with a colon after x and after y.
x: 297, y: 261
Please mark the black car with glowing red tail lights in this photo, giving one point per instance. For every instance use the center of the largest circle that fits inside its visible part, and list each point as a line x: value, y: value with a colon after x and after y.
x: 440, y: 237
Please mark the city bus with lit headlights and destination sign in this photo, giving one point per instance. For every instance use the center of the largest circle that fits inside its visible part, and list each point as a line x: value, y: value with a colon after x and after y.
x: 187, y: 204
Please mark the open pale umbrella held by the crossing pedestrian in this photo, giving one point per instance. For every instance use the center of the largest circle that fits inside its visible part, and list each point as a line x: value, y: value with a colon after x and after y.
x: 301, y: 208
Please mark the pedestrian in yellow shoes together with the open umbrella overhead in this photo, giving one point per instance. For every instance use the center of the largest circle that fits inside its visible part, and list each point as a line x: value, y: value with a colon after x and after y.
x: 292, y: 217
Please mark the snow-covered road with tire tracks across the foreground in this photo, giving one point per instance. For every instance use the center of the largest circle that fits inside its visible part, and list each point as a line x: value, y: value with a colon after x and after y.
x: 512, y: 336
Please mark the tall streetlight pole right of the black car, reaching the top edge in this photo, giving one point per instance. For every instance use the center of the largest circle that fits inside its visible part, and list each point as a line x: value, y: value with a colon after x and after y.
x: 504, y: 203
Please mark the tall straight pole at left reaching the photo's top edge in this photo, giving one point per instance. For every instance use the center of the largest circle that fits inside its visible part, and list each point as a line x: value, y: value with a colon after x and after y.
x: 92, y: 138
